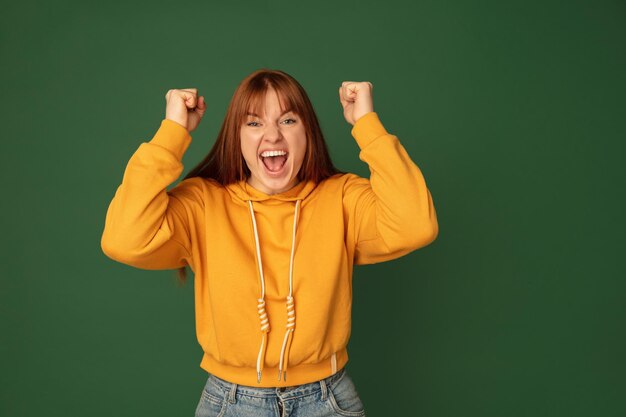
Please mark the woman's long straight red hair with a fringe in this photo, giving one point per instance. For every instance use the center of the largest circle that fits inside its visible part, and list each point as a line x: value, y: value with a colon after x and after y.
x: 225, y: 163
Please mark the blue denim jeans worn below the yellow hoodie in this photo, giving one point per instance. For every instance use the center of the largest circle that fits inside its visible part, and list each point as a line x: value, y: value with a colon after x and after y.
x: 332, y: 396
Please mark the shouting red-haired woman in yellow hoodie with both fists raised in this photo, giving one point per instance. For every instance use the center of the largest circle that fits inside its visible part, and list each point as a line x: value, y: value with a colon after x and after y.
x: 271, y: 230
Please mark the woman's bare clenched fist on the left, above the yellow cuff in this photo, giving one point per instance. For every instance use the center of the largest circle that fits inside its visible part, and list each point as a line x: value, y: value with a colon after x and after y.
x: 184, y: 108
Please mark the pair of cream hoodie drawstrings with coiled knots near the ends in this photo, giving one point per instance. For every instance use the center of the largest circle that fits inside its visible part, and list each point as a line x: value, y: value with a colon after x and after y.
x: 291, y: 314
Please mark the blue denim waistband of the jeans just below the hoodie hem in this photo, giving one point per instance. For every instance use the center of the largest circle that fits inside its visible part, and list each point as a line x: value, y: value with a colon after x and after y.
x: 283, y: 392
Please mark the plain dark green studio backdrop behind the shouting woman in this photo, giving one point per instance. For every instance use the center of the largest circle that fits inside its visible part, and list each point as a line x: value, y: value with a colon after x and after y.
x: 514, y: 111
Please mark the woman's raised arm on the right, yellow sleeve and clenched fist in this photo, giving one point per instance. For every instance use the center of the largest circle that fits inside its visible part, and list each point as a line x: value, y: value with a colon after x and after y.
x: 392, y: 213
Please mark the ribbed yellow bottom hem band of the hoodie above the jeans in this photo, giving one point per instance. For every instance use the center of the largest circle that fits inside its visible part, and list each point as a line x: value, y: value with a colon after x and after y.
x: 296, y: 374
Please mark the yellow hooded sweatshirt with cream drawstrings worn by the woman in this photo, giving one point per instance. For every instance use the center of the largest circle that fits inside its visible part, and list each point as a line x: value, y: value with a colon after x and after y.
x: 272, y: 273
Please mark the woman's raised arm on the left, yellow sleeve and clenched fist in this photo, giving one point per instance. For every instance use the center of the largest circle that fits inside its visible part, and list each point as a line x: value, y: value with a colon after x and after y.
x: 147, y: 226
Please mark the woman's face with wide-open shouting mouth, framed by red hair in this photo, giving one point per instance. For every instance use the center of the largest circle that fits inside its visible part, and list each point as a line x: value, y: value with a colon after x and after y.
x: 273, y: 131
